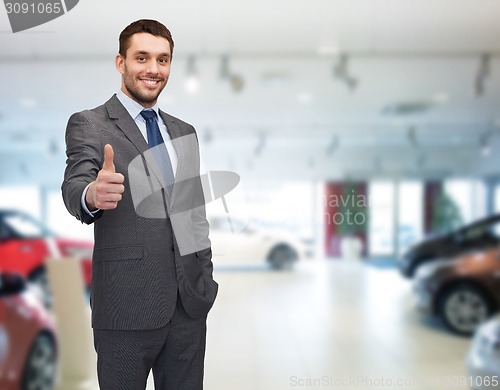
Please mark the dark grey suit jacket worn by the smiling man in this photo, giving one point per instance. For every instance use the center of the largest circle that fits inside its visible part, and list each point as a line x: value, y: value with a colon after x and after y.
x: 137, y: 268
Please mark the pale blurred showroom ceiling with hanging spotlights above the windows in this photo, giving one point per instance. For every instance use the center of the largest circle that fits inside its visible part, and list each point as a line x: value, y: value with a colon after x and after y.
x: 286, y: 89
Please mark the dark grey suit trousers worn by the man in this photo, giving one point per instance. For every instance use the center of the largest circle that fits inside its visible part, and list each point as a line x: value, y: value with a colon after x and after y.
x: 175, y: 353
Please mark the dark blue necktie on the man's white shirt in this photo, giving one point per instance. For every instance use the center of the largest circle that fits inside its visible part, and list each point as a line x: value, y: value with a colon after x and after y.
x: 155, y: 141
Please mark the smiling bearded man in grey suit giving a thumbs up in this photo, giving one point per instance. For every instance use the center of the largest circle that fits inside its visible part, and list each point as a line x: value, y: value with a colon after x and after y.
x: 152, y: 284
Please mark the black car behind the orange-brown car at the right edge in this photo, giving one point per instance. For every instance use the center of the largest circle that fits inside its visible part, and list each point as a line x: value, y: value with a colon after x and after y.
x: 482, y: 234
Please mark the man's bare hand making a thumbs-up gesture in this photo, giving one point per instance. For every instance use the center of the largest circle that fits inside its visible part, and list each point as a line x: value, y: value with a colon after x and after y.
x: 106, y: 191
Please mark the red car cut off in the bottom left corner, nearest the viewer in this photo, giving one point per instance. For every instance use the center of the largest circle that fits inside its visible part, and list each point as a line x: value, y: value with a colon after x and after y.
x: 28, y: 343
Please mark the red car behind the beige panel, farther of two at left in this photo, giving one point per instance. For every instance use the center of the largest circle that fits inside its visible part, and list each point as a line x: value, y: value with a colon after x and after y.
x: 26, y: 243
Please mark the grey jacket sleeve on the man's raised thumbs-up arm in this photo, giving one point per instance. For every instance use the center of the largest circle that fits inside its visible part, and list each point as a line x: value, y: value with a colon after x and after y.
x: 84, y: 151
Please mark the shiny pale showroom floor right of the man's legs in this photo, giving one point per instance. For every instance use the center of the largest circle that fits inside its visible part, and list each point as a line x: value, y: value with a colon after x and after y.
x: 326, y: 324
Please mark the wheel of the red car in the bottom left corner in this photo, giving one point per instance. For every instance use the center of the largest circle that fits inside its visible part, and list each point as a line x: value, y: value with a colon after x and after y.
x: 40, y: 369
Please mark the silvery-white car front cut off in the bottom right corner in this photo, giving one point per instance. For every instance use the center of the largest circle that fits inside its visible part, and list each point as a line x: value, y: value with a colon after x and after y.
x: 483, y: 359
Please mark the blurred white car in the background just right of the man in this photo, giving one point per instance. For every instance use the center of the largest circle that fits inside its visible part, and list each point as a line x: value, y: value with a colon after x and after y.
x: 234, y: 242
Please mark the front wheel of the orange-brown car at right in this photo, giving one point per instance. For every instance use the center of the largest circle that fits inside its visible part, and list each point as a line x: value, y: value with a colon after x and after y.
x: 463, y: 307
